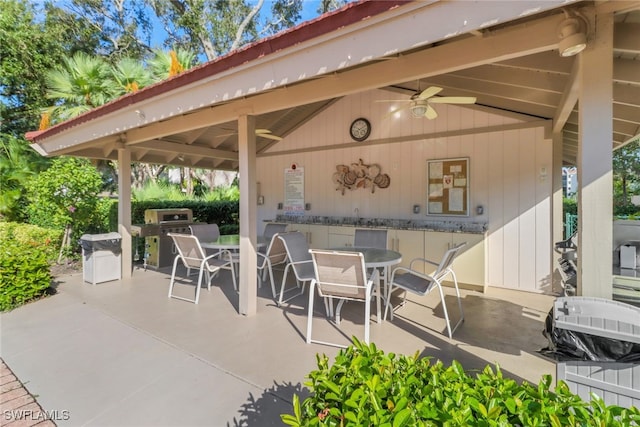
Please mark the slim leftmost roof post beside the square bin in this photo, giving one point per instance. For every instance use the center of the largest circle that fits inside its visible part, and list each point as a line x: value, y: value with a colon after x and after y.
x: 124, y: 209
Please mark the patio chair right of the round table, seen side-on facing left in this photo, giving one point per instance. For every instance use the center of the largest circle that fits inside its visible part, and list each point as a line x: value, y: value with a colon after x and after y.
x: 410, y: 280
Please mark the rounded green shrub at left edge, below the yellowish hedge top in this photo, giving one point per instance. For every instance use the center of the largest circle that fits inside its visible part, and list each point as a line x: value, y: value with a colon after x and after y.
x: 24, y: 273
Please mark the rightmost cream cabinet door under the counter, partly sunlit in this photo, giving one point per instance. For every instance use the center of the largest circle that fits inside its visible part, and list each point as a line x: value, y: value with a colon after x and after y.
x: 469, y: 266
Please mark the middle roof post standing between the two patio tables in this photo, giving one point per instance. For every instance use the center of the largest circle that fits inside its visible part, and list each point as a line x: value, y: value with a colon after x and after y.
x: 248, y: 215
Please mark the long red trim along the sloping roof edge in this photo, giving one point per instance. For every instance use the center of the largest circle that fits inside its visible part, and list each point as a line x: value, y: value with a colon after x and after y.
x: 348, y: 15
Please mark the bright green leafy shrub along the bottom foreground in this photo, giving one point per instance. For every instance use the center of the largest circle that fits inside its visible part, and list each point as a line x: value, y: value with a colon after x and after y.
x: 365, y: 387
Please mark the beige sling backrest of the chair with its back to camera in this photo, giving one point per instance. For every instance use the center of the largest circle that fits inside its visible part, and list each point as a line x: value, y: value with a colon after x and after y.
x: 340, y: 274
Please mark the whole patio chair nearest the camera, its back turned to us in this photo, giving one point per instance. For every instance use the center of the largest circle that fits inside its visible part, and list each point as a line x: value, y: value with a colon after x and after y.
x: 342, y: 276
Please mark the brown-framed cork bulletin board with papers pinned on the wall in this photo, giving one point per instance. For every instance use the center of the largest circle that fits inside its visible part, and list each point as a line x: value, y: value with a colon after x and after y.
x: 448, y: 187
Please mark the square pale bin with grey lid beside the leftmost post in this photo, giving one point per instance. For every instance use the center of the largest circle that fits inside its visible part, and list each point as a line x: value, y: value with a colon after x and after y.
x: 101, y: 257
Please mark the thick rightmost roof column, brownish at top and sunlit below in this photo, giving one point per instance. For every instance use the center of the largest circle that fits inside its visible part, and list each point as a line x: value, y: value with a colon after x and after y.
x: 595, y: 178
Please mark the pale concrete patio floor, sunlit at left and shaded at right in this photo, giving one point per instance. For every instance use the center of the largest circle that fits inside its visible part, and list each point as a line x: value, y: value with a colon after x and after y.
x: 121, y: 353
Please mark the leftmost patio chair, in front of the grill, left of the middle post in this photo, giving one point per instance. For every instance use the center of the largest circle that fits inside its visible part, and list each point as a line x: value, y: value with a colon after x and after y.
x: 193, y: 256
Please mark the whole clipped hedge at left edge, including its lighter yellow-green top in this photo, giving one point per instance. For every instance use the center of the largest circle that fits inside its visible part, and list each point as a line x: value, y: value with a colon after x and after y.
x: 25, y: 251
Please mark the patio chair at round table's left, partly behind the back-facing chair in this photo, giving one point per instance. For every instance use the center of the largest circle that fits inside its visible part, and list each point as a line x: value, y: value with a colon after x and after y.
x: 299, y: 260
